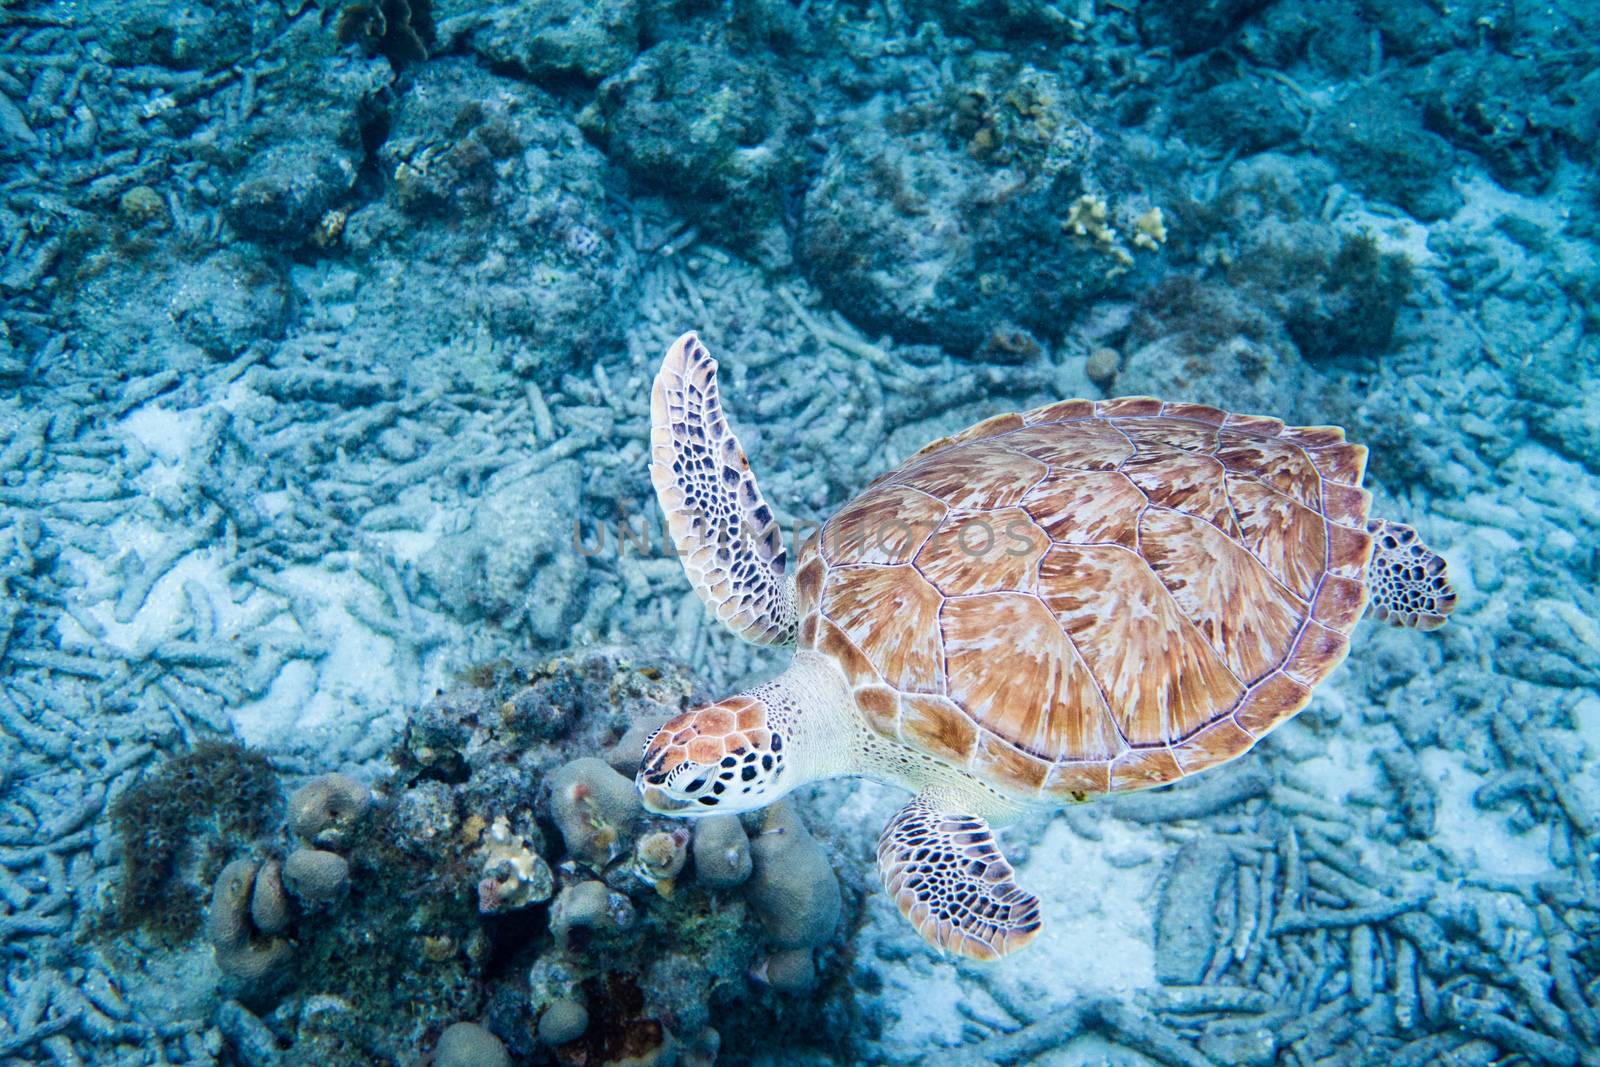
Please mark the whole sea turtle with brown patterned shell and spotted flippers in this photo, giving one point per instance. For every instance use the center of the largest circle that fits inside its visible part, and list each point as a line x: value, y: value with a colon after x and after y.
x: 1084, y: 599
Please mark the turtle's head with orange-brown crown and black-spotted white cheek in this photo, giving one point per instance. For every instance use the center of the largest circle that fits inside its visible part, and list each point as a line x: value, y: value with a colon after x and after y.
x: 724, y: 757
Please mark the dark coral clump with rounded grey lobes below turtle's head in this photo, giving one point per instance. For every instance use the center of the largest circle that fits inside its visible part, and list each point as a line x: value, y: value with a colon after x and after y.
x: 527, y: 903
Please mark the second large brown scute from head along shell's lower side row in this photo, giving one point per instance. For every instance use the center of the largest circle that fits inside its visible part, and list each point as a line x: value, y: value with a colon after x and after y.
x: 1015, y: 673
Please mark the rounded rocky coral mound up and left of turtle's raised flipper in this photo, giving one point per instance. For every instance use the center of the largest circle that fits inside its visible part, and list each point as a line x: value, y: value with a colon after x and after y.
x: 502, y: 162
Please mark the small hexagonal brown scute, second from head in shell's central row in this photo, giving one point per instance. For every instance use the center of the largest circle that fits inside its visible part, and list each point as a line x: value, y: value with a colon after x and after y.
x: 980, y: 553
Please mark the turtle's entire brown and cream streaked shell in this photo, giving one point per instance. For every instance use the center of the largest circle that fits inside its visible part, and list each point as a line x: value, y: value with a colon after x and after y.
x: 1095, y: 597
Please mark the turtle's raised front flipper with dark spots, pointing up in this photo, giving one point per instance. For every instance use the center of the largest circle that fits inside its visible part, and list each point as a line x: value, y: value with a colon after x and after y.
x: 722, y: 527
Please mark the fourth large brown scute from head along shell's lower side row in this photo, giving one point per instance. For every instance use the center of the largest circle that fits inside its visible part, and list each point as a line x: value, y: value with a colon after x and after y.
x: 1247, y: 615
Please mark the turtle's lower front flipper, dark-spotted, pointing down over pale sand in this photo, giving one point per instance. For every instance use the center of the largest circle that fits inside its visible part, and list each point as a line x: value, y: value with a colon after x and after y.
x: 950, y: 879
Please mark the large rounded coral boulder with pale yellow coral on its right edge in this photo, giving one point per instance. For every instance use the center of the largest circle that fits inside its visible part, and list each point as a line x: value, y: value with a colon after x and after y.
x: 1007, y: 146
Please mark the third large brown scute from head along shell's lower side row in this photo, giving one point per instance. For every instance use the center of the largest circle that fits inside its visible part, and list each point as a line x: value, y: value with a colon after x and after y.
x: 1122, y: 620
